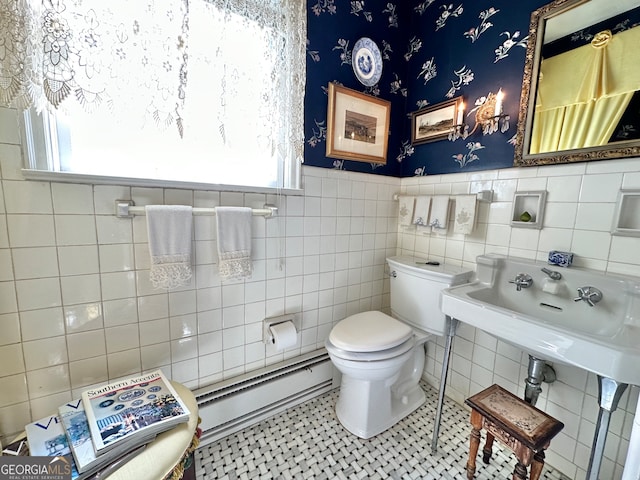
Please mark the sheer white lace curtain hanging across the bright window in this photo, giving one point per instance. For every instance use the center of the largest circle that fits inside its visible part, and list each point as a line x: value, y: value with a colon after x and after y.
x: 146, y: 57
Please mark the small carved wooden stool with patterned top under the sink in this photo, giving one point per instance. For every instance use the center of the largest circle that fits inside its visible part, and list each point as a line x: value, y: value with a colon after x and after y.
x: 526, y: 430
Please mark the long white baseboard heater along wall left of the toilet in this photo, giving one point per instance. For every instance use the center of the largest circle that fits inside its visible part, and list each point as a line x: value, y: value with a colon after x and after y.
x: 229, y: 406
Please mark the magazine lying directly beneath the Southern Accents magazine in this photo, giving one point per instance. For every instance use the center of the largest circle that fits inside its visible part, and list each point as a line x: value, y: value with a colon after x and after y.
x: 76, y: 427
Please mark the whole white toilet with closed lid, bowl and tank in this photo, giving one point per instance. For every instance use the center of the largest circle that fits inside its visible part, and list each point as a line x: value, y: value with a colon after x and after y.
x: 382, y: 358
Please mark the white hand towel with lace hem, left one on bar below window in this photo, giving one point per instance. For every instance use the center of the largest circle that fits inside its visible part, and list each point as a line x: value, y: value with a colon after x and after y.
x: 169, y: 231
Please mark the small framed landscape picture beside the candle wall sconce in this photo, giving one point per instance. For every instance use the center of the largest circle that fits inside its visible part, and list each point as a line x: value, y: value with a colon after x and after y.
x: 436, y: 121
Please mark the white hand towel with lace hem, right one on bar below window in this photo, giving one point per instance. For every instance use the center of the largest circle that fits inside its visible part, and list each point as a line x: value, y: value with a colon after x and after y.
x: 234, y: 242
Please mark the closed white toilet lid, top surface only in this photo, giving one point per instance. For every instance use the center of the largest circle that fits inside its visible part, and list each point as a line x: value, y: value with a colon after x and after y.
x: 369, y: 332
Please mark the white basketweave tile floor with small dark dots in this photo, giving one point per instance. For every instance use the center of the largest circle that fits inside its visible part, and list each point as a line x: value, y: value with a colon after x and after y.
x: 307, y: 441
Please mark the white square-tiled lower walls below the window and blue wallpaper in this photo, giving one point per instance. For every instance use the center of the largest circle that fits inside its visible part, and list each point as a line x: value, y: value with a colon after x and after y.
x: 76, y: 306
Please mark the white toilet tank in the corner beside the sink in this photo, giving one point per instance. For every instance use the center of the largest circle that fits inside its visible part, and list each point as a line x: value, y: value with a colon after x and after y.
x: 415, y: 291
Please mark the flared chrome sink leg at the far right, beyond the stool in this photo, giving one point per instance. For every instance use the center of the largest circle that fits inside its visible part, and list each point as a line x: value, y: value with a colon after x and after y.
x: 609, y: 393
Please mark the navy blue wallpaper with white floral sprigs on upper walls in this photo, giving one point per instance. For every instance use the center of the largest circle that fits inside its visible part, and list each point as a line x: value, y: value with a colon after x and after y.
x: 432, y: 51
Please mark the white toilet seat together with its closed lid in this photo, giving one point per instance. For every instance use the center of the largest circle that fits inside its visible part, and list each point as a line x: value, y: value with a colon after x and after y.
x: 370, y: 336
